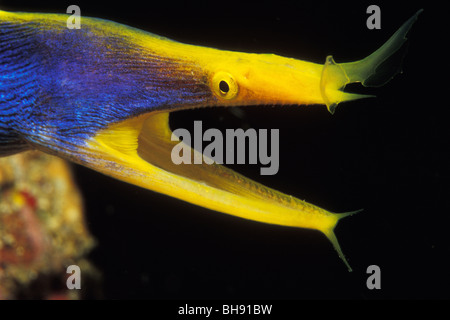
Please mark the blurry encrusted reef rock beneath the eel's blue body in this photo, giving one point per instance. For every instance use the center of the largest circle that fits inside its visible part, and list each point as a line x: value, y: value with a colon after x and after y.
x: 42, y: 230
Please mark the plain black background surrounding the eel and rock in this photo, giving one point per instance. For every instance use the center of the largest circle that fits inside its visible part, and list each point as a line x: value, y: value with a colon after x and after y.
x: 388, y: 155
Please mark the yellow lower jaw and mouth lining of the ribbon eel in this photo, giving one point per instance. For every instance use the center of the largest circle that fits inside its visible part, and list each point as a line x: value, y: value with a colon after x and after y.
x: 139, y: 151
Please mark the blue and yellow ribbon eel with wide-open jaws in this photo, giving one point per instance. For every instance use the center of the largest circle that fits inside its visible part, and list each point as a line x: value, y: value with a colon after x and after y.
x: 100, y: 96
